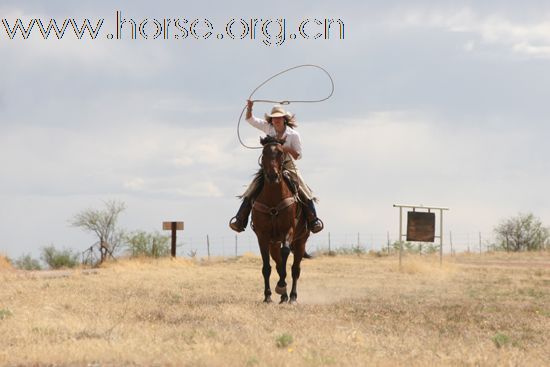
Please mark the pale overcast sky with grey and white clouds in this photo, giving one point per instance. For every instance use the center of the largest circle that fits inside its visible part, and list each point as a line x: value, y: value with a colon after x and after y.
x: 434, y: 103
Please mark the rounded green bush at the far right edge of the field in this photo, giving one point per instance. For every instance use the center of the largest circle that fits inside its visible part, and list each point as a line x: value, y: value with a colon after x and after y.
x: 523, y: 232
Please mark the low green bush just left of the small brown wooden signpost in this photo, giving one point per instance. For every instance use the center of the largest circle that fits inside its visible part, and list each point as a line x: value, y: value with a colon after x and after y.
x: 141, y: 243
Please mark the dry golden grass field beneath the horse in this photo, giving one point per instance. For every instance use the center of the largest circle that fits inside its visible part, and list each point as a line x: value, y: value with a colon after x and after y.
x: 476, y: 310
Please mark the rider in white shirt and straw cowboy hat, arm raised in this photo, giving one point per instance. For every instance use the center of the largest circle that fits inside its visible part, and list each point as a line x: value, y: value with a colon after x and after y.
x: 279, y: 124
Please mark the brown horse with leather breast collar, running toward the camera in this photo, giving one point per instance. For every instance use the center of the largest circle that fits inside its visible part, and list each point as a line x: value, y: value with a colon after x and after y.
x: 278, y: 221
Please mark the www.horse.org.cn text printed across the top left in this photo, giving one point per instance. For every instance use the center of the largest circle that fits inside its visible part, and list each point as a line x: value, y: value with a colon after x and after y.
x: 270, y: 32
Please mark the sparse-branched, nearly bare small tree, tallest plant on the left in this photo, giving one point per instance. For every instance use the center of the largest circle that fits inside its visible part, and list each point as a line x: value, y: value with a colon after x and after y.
x: 103, y: 224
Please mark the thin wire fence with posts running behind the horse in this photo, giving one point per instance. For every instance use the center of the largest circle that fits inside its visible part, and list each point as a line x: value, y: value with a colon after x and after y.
x: 236, y: 245
